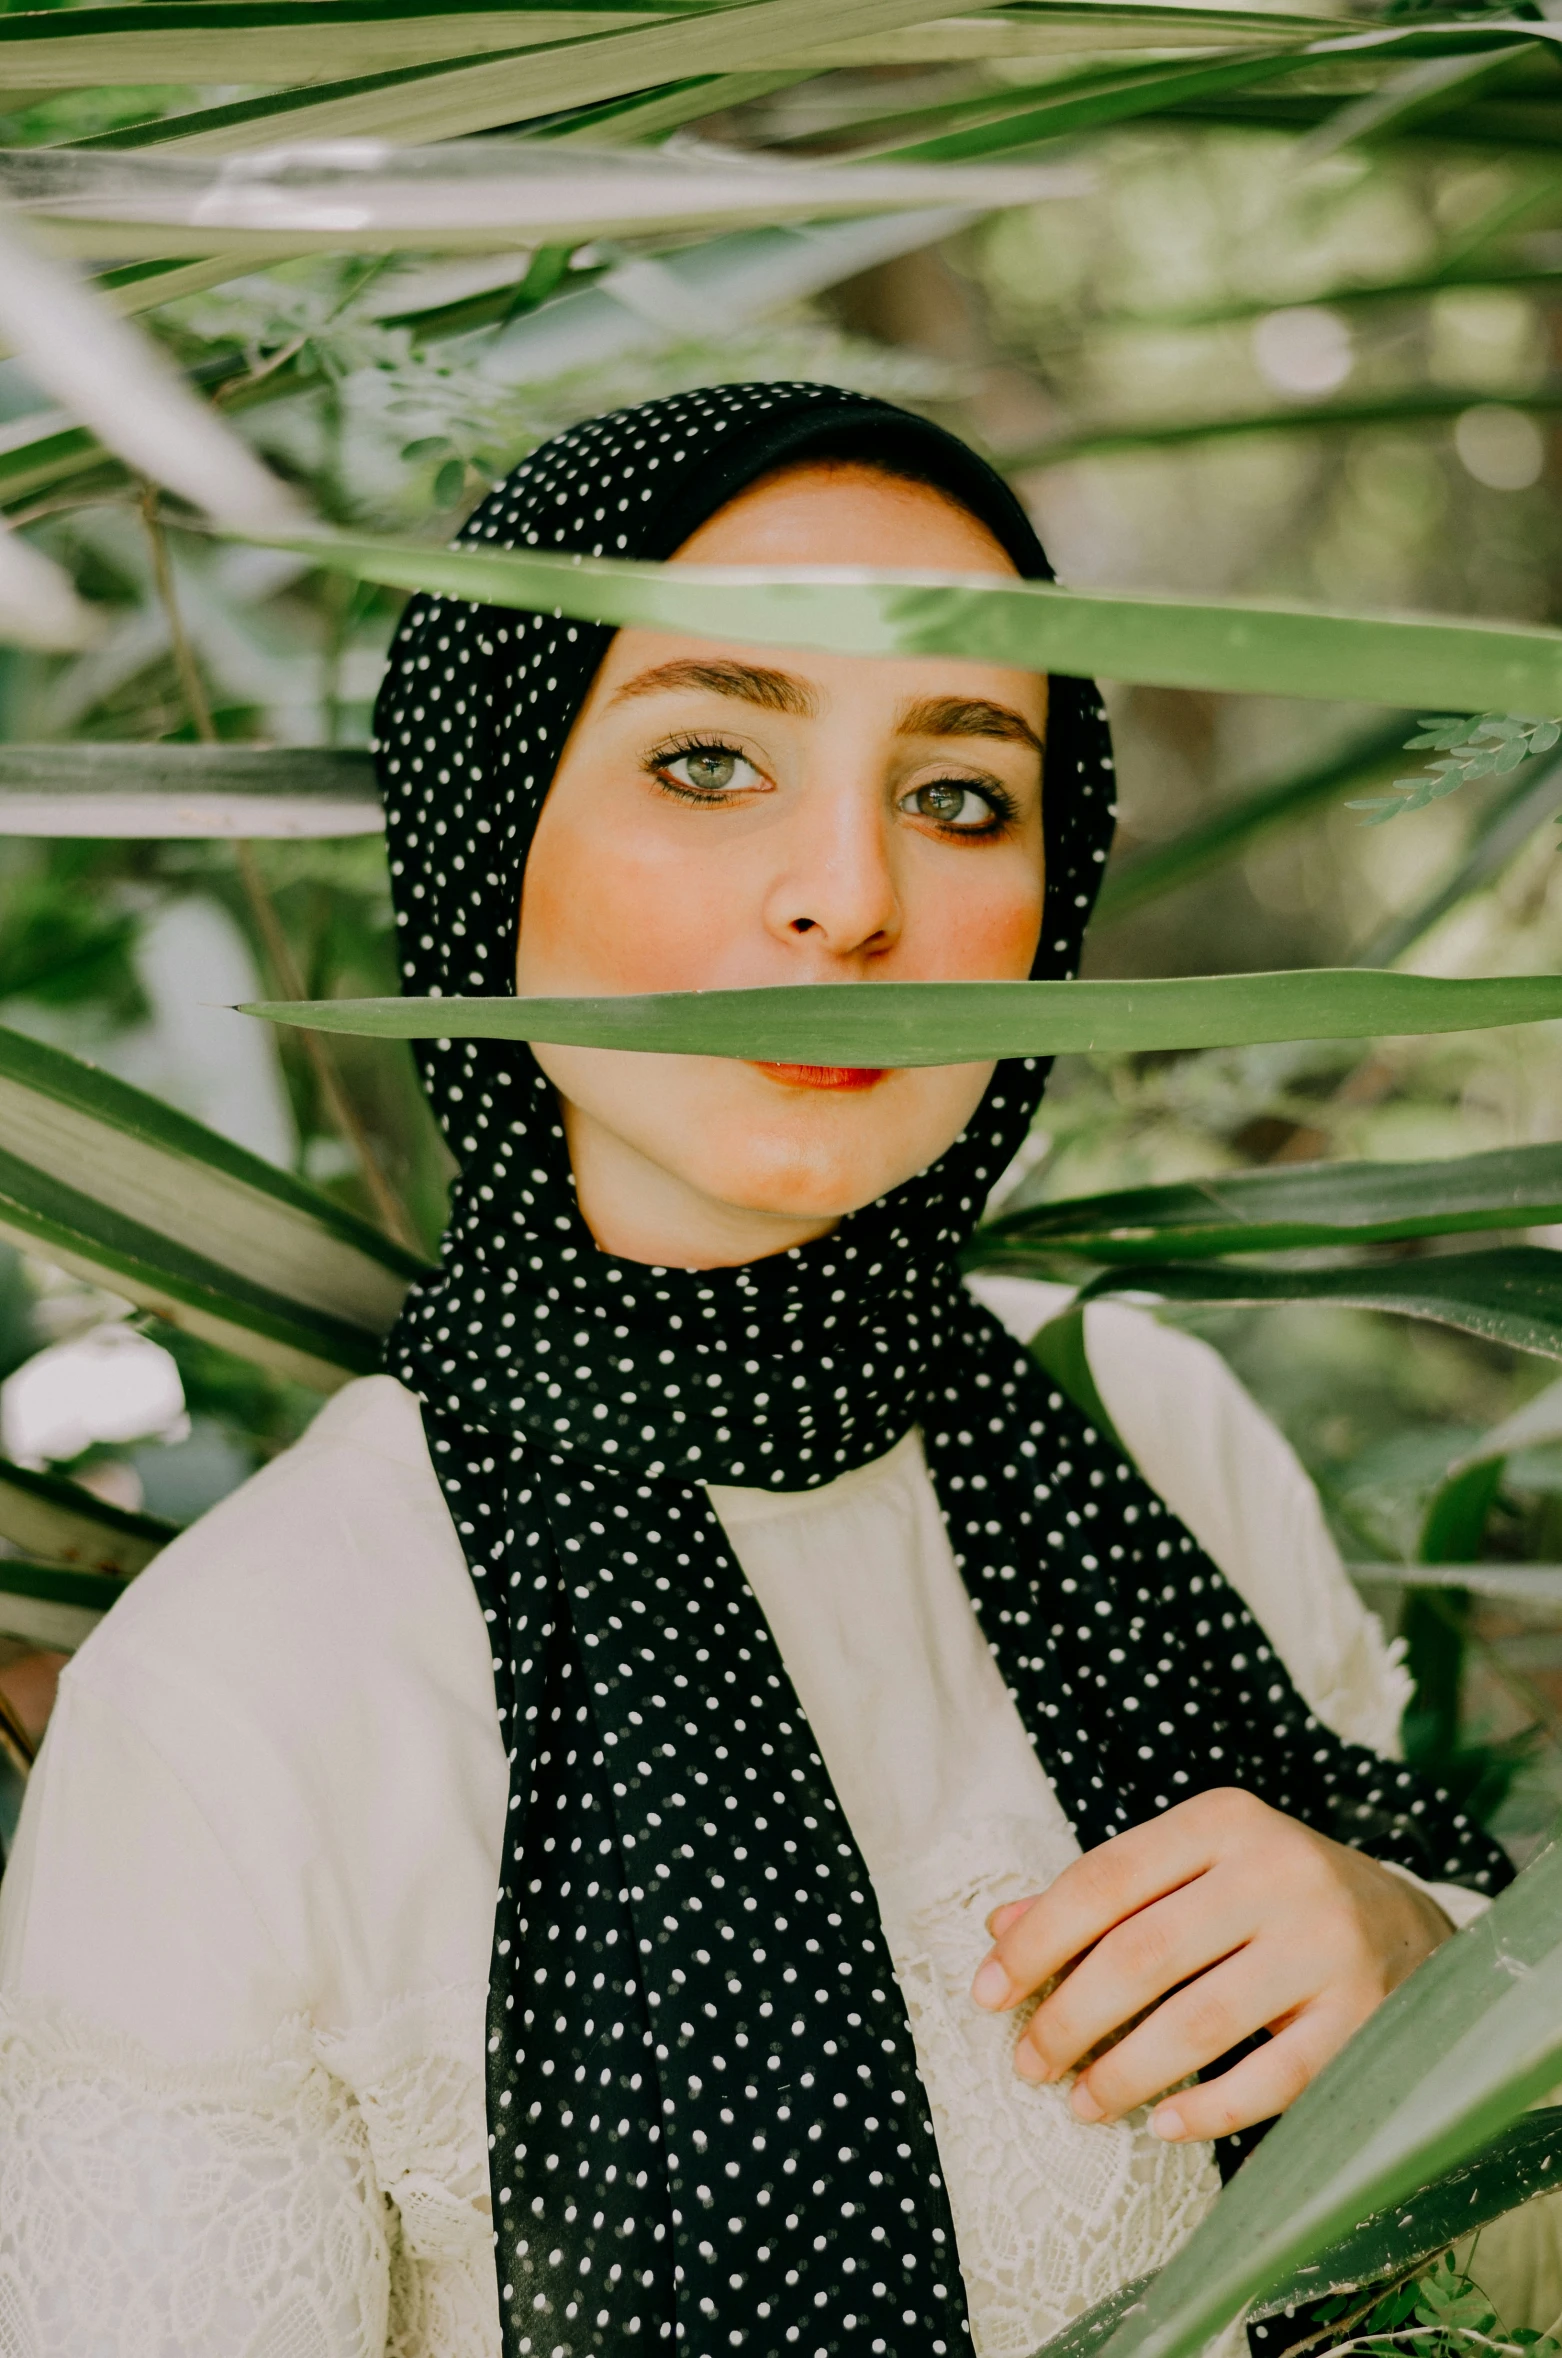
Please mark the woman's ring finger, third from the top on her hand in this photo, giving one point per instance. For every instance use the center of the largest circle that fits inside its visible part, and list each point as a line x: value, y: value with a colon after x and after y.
x: 1193, y: 2029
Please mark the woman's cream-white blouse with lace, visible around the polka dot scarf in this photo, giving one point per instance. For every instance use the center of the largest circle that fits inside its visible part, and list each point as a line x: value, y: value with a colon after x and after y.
x: 244, y: 1937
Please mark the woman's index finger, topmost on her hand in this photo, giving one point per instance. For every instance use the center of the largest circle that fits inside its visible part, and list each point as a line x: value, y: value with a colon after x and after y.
x: 1108, y: 1885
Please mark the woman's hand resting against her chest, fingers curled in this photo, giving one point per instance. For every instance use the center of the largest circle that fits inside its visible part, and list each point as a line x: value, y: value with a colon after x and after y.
x: 1252, y: 1921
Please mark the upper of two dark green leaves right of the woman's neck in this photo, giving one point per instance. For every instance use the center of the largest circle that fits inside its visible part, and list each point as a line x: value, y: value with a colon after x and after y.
x: 1280, y: 1211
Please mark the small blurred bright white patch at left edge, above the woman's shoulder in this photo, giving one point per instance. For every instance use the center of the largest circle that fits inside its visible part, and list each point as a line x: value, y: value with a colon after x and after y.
x: 110, y: 1385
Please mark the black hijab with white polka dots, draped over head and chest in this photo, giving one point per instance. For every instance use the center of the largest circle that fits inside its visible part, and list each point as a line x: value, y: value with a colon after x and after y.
x: 704, y: 2109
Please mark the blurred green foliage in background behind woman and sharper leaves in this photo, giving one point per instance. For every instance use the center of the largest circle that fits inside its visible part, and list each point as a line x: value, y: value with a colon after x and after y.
x: 1235, y: 364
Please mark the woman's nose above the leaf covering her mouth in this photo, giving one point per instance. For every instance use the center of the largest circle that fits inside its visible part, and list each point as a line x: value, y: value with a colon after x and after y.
x: 836, y: 890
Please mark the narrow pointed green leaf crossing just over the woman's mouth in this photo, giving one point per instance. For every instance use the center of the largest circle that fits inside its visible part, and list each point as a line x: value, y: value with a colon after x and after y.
x: 903, y: 1025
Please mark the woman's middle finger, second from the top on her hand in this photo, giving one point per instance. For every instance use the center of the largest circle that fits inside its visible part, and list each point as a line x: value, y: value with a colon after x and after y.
x: 1141, y: 1961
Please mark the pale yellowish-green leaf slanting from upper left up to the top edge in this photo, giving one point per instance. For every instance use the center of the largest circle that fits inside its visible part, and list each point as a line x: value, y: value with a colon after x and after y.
x: 478, y: 93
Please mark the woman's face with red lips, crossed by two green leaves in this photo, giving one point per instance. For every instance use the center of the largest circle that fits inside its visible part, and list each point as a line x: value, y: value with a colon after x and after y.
x: 728, y: 817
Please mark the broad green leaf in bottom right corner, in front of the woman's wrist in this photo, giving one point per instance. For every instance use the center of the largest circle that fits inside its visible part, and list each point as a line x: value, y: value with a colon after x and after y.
x: 1433, y: 2076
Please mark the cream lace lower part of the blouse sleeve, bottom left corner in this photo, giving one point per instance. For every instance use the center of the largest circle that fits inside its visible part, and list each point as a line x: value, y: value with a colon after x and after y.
x: 308, y: 2201
